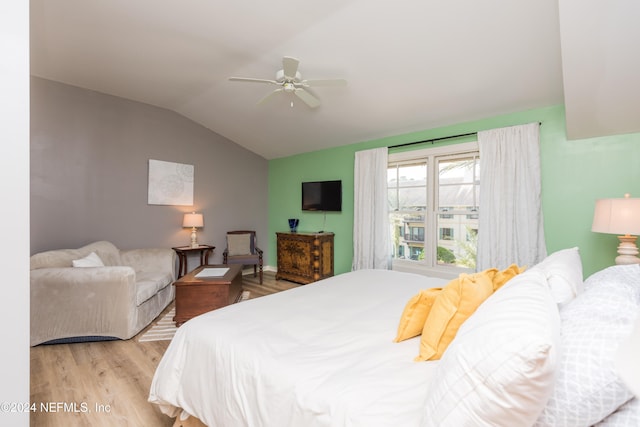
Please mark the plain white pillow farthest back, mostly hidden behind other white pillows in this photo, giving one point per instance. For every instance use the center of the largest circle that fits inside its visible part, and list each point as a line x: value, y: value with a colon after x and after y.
x: 563, y: 270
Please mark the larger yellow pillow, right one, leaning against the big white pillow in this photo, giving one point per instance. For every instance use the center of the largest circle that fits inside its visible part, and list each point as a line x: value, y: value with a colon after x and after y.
x: 454, y: 304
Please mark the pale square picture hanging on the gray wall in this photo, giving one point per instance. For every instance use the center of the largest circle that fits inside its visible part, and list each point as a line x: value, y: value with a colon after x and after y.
x: 170, y: 183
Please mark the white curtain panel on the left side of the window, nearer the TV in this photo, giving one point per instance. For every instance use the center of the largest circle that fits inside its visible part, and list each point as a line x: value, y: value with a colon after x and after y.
x: 371, y: 239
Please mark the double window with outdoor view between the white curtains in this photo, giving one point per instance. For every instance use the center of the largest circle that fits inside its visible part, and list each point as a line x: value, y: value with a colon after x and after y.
x: 433, y: 207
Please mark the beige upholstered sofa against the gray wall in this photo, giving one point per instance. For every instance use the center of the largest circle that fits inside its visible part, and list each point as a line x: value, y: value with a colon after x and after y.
x: 84, y: 303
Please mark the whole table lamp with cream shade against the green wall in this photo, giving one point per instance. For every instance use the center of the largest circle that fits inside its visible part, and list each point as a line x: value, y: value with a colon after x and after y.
x: 621, y: 217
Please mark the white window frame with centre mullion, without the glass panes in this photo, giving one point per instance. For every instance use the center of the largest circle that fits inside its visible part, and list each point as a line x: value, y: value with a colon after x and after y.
x: 430, y: 267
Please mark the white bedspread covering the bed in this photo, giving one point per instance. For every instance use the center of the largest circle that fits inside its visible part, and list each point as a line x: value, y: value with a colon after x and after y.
x: 318, y: 355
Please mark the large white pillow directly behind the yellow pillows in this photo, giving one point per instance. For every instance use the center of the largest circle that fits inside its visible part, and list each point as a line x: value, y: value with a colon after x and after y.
x: 499, y: 370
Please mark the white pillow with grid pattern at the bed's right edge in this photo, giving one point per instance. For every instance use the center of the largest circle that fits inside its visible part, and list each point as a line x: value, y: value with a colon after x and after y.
x: 593, y: 325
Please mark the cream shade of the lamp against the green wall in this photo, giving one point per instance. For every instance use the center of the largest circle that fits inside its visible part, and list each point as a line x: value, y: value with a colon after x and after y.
x: 617, y: 216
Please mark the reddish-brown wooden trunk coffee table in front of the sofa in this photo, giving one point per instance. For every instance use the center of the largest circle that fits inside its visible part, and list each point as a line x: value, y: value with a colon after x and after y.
x: 197, y: 295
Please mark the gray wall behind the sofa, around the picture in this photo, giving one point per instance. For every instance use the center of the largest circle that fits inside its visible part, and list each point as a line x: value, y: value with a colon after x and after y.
x: 89, y: 174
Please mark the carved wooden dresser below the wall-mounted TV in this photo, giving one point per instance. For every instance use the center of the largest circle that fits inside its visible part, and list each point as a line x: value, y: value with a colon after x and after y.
x: 304, y: 257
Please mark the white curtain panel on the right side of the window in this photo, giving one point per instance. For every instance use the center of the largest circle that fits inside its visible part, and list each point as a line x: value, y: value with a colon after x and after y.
x: 510, y: 224
